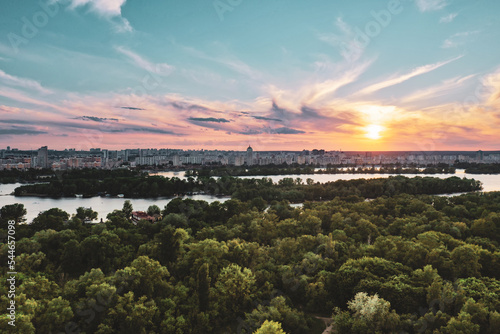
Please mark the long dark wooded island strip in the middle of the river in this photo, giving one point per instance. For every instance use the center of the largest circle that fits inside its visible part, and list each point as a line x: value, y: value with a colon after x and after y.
x: 134, y: 185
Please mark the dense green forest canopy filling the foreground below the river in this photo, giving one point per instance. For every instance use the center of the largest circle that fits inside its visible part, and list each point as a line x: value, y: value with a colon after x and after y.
x: 399, y: 263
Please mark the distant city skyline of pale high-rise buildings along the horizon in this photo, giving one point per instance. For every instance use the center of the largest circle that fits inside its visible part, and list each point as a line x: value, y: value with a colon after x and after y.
x: 12, y: 158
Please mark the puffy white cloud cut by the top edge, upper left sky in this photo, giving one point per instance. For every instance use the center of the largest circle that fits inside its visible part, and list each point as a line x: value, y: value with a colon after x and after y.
x: 109, y: 9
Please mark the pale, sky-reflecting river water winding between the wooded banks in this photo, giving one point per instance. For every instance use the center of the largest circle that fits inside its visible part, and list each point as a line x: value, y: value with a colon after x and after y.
x: 105, y: 205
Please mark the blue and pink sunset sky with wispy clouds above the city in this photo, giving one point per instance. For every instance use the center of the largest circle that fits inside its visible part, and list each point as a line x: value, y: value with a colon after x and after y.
x: 410, y: 75
